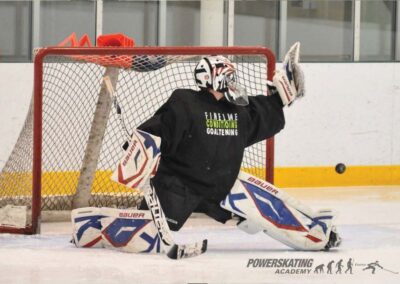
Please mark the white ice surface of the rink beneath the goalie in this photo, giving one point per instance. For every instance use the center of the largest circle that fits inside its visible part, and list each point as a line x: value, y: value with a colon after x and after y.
x: 369, y: 222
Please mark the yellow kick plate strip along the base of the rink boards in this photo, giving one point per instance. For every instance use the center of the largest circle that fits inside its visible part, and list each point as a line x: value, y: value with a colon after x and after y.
x: 65, y: 182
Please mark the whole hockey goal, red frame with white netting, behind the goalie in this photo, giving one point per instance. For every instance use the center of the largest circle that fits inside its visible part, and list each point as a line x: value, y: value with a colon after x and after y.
x: 85, y: 103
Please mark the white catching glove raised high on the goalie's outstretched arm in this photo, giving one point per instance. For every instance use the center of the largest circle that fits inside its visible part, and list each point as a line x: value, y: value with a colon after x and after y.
x: 289, y: 81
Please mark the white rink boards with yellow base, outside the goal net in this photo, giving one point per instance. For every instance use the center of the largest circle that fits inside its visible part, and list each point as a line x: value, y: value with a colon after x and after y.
x: 350, y: 115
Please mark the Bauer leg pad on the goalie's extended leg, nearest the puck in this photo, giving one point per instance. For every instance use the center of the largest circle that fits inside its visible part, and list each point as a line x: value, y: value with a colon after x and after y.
x: 278, y: 215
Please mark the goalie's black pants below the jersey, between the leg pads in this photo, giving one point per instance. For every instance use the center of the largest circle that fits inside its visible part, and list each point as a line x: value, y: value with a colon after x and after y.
x: 179, y: 202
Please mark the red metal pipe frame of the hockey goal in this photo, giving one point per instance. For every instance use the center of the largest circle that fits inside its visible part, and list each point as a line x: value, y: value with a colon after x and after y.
x: 41, y: 54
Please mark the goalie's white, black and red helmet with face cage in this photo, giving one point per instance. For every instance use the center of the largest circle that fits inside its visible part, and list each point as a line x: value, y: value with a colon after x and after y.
x: 219, y: 73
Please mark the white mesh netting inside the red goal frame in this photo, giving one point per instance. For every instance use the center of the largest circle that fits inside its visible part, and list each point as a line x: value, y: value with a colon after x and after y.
x: 71, y: 88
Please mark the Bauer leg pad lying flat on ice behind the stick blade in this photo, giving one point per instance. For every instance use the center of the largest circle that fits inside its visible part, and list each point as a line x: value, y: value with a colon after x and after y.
x: 123, y: 230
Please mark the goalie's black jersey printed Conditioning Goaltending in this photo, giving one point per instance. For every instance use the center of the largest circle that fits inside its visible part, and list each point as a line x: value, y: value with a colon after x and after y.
x: 203, y: 139
